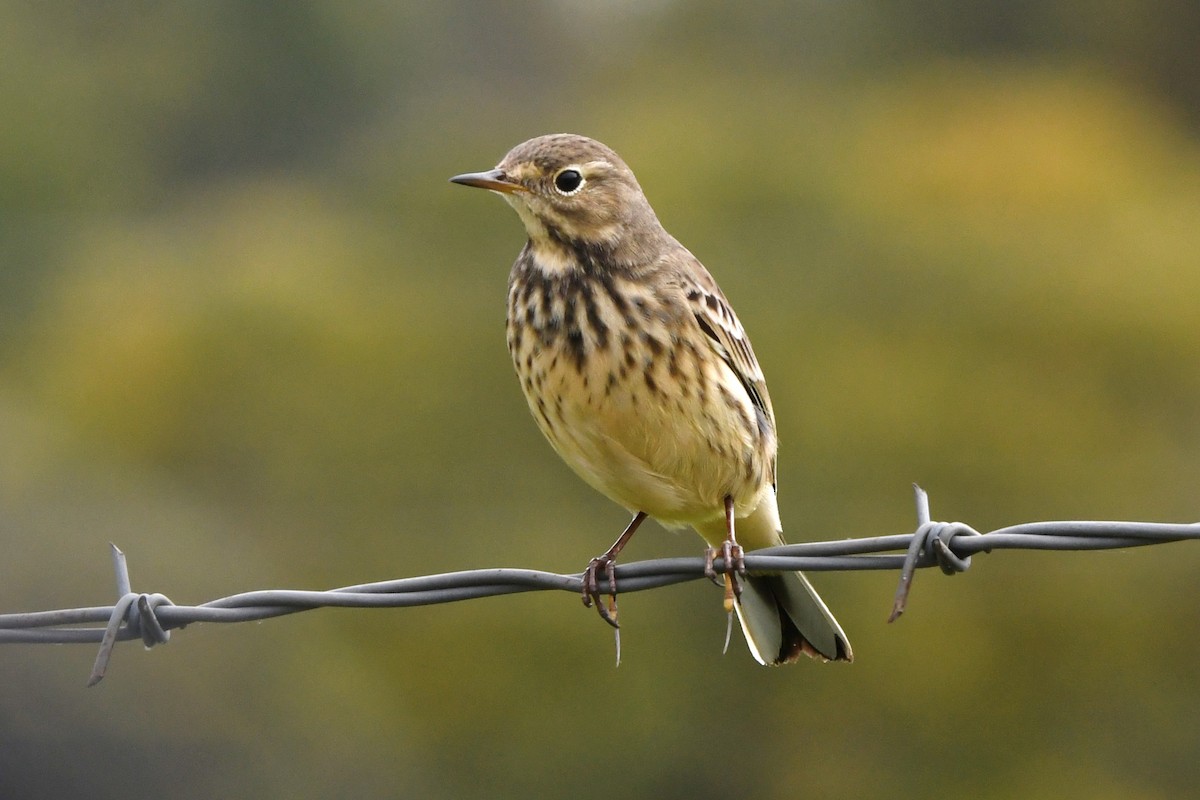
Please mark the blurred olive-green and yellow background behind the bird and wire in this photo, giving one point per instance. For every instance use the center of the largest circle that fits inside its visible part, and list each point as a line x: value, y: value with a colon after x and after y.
x: 250, y: 334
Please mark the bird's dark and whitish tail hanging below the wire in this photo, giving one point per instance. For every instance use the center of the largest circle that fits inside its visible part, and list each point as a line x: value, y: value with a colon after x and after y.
x: 783, y: 617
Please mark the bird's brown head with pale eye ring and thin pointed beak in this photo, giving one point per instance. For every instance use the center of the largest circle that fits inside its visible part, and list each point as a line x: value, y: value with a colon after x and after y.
x: 571, y: 190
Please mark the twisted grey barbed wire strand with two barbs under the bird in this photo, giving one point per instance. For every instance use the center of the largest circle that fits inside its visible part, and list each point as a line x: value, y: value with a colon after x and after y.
x: 946, y: 545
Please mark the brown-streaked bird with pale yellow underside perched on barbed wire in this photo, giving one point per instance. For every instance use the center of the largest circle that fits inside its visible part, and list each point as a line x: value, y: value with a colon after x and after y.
x: 643, y: 378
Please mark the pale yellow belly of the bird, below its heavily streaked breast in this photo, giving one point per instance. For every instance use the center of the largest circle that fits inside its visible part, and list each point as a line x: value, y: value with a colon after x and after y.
x: 639, y: 440
